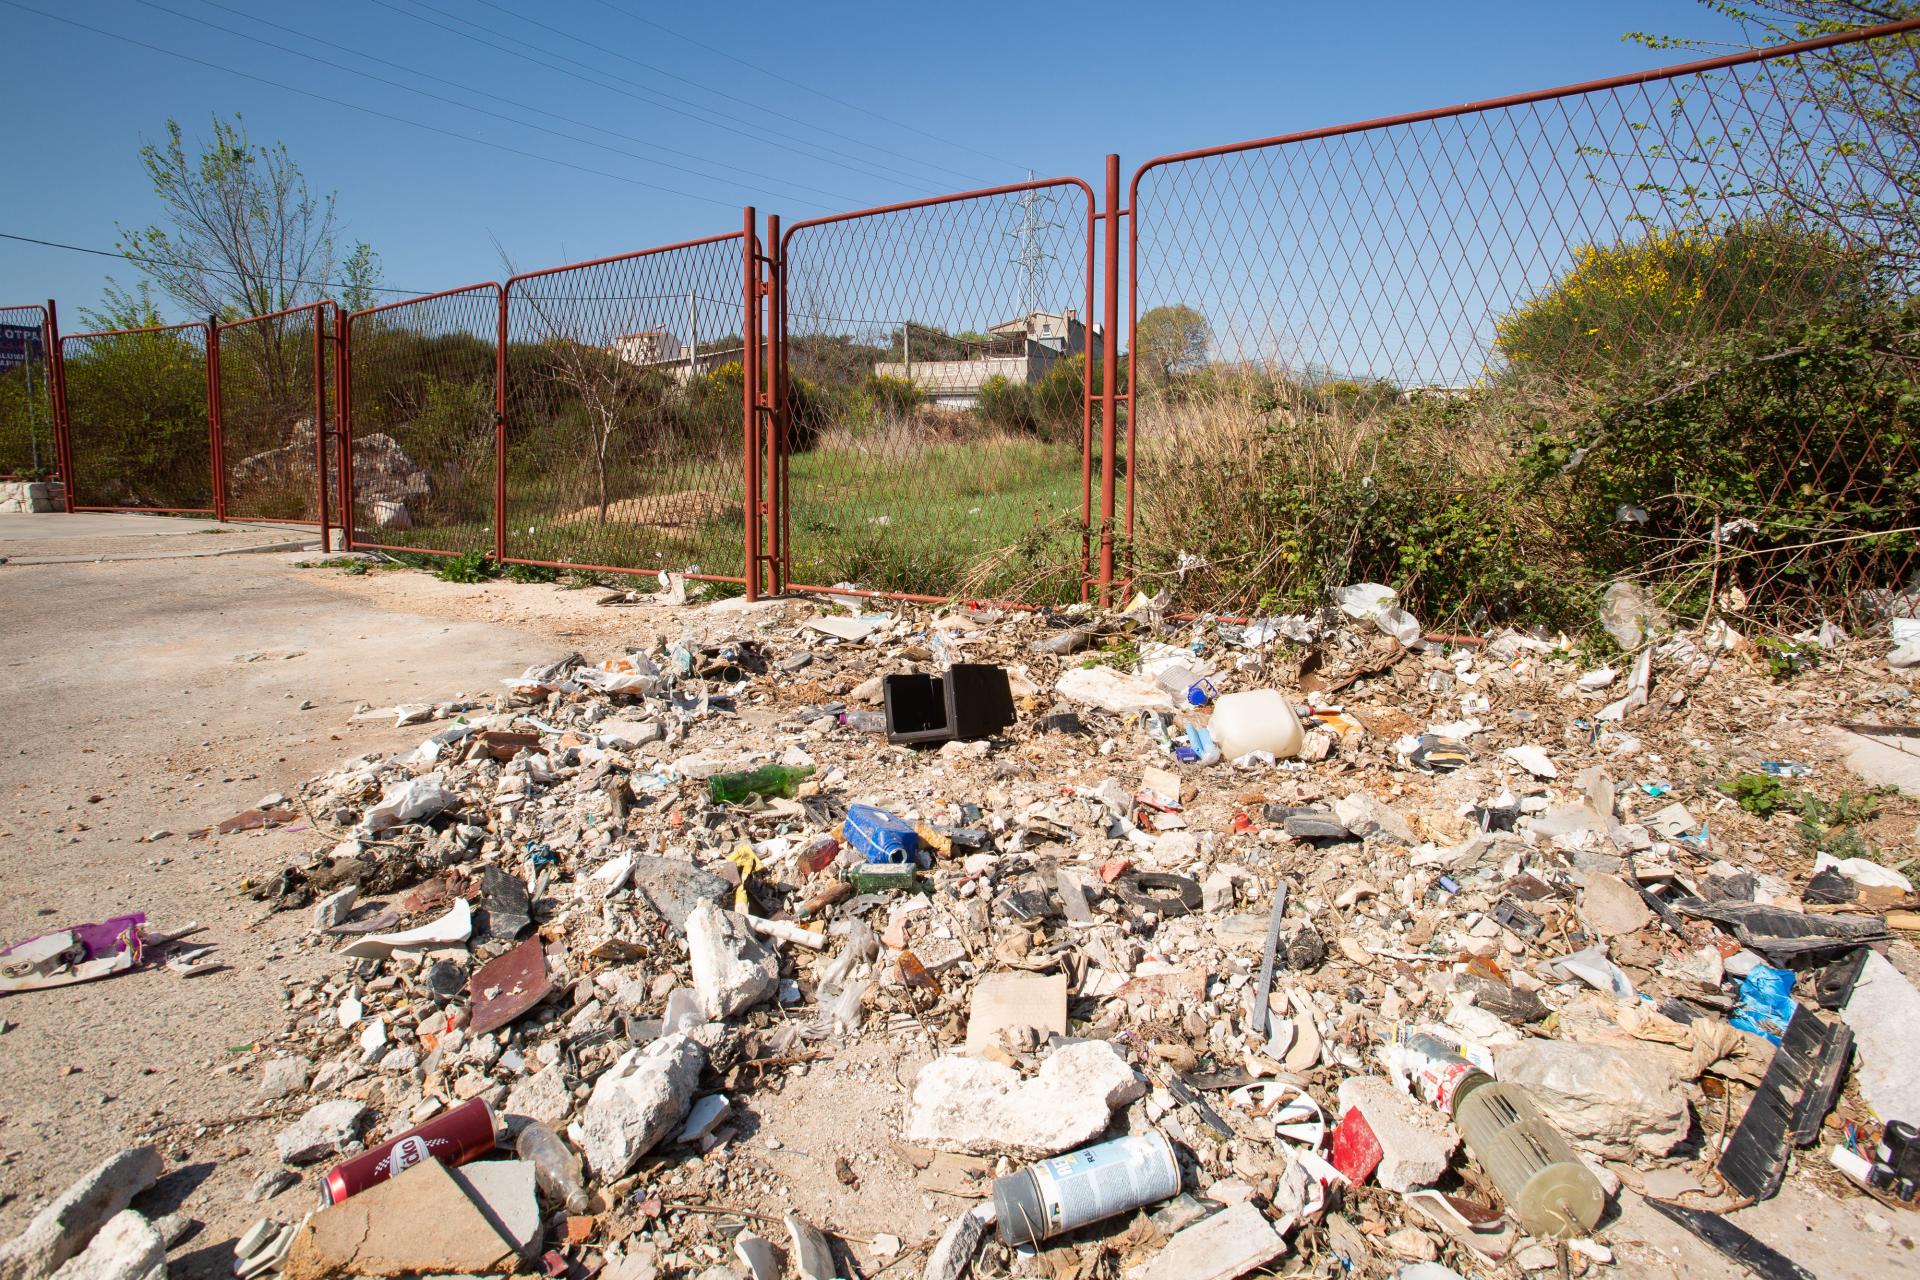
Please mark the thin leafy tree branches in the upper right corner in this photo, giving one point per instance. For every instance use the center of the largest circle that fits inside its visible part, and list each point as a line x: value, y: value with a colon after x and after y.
x: 1836, y: 135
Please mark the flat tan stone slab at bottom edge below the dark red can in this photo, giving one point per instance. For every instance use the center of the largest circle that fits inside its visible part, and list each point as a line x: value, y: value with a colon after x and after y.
x: 420, y: 1221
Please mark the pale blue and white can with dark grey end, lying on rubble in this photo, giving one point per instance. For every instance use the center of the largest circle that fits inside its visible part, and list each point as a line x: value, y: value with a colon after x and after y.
x: 1095, y: 1183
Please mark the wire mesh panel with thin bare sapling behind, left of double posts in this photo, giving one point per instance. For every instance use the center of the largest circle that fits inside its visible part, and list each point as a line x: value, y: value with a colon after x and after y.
x: 625, y: 412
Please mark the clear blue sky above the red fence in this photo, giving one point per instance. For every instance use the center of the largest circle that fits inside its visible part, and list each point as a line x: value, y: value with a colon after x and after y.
x: 844, y: 107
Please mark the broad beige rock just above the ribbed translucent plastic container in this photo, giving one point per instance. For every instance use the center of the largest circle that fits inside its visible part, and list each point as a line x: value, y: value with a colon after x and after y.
x: 1614, y: 1101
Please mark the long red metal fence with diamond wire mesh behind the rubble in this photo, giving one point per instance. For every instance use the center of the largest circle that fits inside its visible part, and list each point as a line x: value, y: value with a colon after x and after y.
x: 1401, y: 350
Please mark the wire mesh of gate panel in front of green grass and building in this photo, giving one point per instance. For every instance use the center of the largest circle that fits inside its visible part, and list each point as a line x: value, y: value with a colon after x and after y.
x: 938, y: 362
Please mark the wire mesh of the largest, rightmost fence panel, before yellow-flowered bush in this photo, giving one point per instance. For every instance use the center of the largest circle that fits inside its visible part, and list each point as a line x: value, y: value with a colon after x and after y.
x: 1499, y: 354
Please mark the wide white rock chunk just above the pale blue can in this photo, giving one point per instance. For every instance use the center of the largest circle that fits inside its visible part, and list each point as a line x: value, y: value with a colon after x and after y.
x: 984, y: 1108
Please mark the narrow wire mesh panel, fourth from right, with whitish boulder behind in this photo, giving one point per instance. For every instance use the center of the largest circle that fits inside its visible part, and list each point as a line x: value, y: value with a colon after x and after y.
x: 421, y: 419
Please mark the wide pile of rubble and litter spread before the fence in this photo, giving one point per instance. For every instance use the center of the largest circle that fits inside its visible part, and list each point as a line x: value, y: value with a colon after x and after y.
x: 1253, y: 924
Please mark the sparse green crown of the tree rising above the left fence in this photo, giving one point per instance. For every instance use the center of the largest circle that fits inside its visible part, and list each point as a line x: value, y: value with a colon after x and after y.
x: 247, y: 233
